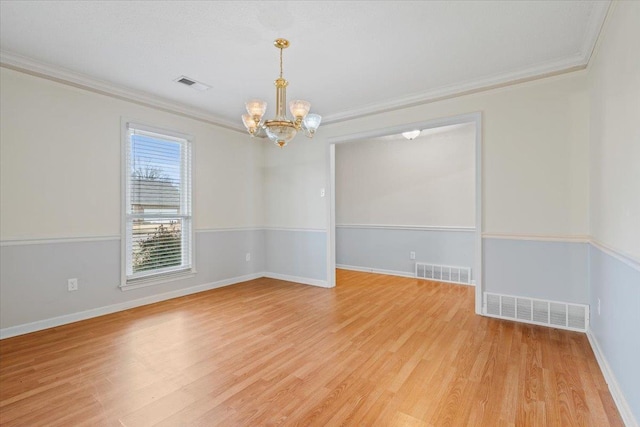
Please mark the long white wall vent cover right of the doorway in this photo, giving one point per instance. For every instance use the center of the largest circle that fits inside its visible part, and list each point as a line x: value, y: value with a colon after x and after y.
x: 555, y: 314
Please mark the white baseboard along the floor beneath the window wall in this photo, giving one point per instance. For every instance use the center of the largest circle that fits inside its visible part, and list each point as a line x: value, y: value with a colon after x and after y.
x: 39, y: 325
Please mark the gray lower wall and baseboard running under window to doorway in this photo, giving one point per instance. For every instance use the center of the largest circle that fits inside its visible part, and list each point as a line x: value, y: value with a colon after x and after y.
x: 33, y: 276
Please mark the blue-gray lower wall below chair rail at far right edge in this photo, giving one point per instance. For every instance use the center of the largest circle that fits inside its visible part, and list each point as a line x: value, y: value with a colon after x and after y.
x: 616, y: 329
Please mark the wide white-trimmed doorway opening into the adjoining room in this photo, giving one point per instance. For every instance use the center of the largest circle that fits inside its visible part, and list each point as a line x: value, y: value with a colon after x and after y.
x: 446, y: 229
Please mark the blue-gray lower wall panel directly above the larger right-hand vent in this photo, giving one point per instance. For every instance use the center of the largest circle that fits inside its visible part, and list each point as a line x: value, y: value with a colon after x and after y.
x: 546, y: 270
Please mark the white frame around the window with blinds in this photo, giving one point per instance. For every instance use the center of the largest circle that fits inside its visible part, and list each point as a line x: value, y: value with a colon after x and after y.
x: 167, y: 274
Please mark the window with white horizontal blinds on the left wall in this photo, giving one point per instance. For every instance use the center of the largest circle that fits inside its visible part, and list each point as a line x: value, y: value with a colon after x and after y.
x: 157, y: 231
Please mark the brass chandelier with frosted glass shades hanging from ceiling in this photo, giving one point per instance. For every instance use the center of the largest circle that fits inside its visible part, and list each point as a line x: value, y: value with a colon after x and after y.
x: 280, y: 129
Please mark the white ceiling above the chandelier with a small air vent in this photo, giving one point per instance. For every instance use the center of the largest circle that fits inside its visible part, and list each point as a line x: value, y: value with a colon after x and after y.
x: 348, y: 58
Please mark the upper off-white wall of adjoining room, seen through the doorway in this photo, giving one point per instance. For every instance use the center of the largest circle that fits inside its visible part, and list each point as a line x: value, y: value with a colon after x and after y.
x: 429, y: 181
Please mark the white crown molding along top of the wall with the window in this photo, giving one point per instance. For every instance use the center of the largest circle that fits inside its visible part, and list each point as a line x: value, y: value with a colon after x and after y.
x: 61, y: 75
